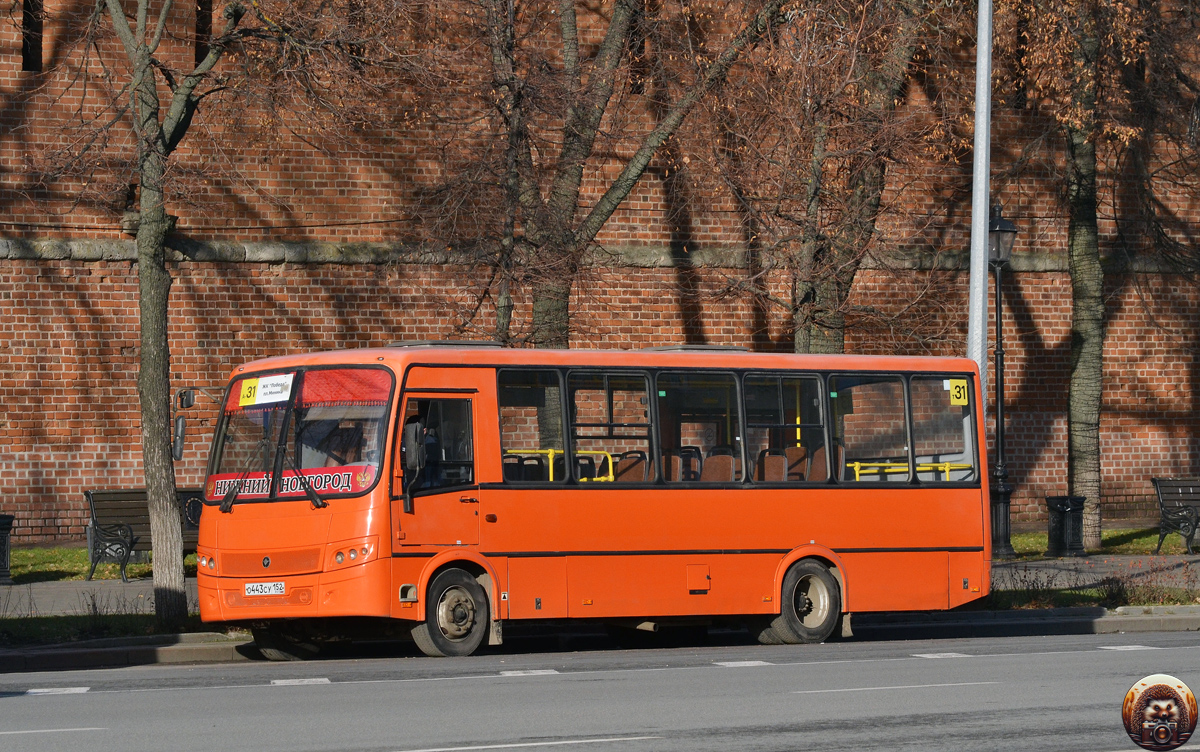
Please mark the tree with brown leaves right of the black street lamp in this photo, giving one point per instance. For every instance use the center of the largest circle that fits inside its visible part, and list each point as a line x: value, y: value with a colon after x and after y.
x: 1073, y: 70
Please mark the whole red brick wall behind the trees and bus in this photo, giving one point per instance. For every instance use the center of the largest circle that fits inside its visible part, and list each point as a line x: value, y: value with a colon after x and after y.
x: 68, y: 285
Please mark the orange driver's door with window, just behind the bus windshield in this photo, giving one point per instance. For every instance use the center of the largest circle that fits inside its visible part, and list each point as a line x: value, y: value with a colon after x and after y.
x: 435, y: 478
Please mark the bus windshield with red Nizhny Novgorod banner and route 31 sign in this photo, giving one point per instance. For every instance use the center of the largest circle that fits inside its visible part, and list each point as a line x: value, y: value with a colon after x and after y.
x: 326, y: 425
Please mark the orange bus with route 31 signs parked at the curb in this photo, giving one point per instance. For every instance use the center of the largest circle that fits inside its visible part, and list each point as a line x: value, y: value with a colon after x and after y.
x: 446, y: 489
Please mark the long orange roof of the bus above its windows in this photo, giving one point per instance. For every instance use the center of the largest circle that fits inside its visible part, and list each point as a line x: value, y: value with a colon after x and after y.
x: 487, y: 354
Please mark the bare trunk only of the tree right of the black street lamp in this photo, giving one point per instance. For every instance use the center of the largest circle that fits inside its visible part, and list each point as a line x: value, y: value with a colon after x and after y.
x: 1088, y: 322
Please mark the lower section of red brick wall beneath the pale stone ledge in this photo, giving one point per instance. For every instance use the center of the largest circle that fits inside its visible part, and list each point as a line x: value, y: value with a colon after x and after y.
x: 68, y: 384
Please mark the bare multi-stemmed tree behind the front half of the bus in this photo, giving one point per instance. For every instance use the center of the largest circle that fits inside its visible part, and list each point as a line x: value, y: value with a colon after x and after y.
x: 567, y: 94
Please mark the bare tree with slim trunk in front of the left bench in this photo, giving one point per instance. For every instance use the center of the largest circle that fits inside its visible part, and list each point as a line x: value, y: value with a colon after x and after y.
x: 140, y: 94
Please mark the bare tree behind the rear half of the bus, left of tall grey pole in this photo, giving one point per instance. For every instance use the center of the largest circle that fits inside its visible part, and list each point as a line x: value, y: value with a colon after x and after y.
x: 806, y: 139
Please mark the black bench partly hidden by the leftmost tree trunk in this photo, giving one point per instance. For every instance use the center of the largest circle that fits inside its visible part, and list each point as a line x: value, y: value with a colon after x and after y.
x: 121, y: 525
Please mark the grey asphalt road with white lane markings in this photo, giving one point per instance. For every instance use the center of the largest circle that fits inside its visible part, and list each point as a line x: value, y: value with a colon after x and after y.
x: 1060, y: 693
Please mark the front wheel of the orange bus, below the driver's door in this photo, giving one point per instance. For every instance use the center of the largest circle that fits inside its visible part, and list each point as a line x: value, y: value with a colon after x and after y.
x: 457, y: 616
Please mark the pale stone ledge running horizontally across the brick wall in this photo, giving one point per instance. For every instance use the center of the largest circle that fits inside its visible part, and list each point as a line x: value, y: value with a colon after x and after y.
x: 383, y: 254
